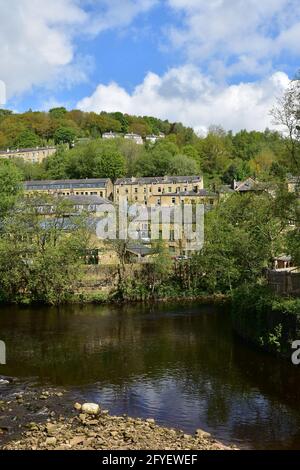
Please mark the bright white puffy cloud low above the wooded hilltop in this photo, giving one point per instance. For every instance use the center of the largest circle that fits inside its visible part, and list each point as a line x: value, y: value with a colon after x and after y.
x: 184, y: 94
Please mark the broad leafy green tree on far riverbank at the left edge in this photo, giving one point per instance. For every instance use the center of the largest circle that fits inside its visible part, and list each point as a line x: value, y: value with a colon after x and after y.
x: 42, y: 245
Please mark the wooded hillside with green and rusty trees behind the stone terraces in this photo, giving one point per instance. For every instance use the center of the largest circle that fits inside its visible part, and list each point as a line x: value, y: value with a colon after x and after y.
x: 221, y: 156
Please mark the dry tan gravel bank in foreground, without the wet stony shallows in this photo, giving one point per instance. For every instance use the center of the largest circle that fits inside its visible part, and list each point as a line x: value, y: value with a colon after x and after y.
x: 105, y: 432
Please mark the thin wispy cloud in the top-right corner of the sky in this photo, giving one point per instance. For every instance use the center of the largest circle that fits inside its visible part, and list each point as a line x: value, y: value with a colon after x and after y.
x: 245, y: 36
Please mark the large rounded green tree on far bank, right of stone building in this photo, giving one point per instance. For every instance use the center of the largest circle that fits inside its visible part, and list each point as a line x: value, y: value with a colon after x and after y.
x: 242, y: 237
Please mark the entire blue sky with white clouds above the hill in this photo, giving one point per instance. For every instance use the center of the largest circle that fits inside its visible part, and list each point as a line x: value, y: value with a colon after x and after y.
x: 201, y: 62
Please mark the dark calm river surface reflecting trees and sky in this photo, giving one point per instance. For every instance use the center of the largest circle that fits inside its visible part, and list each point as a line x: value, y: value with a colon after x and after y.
x: 180, y: 364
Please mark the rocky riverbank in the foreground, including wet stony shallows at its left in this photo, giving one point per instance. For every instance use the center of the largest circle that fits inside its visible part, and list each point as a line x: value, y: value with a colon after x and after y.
x: 85, y: 427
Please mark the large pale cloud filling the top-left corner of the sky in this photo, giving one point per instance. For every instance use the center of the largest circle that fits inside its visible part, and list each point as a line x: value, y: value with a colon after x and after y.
x: 38, y: 38
